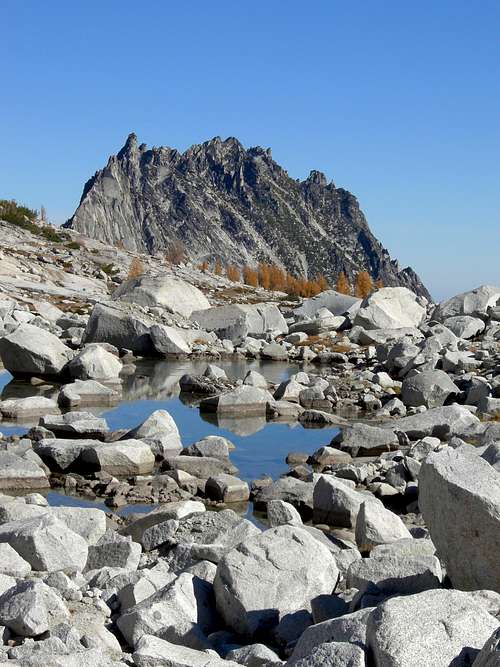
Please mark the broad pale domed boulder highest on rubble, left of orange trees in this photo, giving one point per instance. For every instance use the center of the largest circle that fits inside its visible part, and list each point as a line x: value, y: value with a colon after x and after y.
x: 165, y: 291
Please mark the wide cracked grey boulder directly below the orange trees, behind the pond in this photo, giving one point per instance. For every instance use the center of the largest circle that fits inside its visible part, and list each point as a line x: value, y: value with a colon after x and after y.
x: 238, y: 321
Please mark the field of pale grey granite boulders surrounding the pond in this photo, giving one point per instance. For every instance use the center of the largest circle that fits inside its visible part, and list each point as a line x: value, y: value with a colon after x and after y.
x: 380, y: 549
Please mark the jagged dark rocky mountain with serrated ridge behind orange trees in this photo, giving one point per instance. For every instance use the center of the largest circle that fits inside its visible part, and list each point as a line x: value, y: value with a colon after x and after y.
x: 236, y: 204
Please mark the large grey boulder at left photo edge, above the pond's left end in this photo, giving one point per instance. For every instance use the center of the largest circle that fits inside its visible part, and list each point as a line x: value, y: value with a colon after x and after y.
x: 30, y: 350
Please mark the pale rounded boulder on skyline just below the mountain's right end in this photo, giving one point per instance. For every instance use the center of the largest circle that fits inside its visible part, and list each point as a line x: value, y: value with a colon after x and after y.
x: 390, y: 308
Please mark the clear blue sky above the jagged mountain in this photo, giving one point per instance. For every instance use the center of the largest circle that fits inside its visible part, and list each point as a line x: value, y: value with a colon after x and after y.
x: 398, y: 102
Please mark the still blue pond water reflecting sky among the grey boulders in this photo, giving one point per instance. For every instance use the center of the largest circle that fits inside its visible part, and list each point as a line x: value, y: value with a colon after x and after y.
x: 261, y: 447
